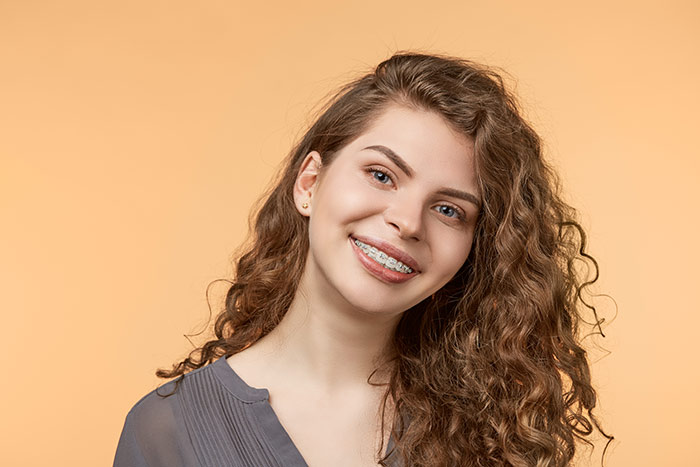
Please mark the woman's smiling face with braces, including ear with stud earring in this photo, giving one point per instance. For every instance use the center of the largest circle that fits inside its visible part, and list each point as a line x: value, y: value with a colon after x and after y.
x: 407, y: 187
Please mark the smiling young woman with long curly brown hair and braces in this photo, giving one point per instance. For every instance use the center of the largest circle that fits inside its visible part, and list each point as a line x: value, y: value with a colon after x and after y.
x: 409, y: 297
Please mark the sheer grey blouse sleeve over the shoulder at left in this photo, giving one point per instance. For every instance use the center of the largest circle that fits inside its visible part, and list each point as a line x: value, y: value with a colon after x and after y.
x: 154, y: 435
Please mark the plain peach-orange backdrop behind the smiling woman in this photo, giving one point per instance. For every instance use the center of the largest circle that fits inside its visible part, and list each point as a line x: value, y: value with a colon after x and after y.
x: 135, y: 135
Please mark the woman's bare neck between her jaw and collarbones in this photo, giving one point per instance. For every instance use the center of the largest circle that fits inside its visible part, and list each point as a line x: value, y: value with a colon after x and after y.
x: 329, y: 348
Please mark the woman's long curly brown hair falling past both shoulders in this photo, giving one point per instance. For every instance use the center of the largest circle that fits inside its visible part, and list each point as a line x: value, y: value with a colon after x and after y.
x: 491, y: 369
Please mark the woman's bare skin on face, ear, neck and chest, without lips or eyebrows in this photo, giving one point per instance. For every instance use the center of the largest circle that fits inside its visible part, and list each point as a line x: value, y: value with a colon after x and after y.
x: 338, y: 326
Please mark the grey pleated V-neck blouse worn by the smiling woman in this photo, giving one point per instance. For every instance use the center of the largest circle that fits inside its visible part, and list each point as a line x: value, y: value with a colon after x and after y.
x: 213, y: 418
